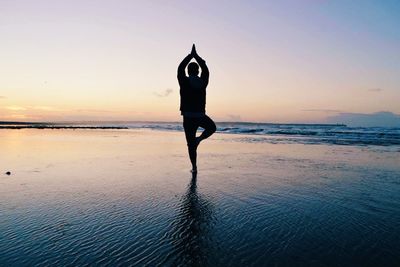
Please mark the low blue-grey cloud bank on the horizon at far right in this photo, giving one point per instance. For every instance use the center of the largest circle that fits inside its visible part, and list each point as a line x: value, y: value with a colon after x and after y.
x: 378, y: 119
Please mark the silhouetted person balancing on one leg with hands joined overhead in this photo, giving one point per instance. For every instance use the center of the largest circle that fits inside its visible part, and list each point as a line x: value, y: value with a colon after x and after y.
x: 193, y: 103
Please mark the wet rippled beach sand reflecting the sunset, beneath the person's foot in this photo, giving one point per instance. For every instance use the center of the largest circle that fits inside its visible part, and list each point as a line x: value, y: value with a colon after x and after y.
x: 126, y: 197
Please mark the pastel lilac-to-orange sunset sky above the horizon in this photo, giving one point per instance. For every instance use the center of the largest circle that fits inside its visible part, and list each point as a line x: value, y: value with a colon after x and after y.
x: 270, y: 61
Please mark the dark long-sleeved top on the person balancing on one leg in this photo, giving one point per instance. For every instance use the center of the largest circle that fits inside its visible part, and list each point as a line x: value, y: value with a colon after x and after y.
x: 193, y: 88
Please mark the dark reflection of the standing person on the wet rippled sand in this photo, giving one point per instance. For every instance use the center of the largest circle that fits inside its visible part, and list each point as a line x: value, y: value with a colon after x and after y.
x: 191, y: 238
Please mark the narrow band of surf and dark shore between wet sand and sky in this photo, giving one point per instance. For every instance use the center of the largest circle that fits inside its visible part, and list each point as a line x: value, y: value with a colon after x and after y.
x: 307, y: 135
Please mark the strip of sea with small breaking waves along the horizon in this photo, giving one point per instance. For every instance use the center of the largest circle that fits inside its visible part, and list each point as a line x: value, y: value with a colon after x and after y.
x: 332, y: 134
